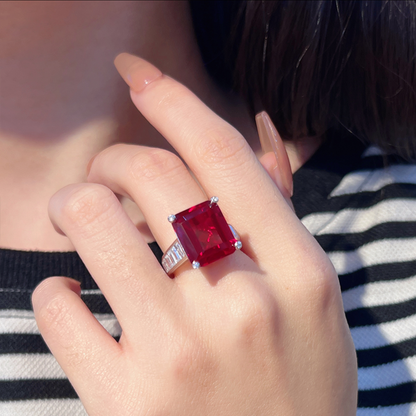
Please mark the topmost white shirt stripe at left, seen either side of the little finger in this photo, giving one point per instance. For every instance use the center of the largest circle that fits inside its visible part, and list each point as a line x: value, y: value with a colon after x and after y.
x: 23, y: 322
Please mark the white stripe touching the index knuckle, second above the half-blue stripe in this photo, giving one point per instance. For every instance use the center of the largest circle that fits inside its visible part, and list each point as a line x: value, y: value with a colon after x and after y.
x: 377, y: 252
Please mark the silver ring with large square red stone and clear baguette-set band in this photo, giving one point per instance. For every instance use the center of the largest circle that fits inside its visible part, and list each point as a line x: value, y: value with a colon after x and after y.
x: 203, y: 236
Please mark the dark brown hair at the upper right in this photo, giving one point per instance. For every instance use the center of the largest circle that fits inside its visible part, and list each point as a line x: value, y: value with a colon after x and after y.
x: 331, y: 64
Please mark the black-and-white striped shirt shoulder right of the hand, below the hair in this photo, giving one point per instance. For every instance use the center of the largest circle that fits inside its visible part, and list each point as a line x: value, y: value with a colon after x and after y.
x: 371, y: 240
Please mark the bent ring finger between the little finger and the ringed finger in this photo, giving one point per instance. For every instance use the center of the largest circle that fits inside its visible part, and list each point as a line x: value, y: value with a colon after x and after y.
x: 114, y: 252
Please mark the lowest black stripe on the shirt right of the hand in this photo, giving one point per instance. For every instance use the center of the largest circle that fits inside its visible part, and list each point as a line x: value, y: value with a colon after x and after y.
x: 390, y: 396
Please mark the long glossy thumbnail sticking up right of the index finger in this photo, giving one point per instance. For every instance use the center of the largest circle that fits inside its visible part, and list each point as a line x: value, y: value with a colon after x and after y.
x: 270, y: 140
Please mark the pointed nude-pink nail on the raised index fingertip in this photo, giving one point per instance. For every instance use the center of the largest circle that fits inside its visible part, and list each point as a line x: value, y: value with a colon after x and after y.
x: 136, y: 71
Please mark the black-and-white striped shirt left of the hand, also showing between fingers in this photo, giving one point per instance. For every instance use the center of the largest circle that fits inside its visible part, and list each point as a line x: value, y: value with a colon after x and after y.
x: 31, y: 381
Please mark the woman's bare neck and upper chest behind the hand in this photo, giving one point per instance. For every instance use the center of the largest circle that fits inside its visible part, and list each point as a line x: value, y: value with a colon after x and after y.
x: 63, y: 101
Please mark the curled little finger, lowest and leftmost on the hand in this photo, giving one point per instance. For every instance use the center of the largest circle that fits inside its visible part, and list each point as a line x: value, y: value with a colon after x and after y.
x: 82, y: 347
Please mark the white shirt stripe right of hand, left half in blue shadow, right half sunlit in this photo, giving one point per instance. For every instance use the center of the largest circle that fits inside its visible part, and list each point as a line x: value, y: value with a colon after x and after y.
x: 374, y: 336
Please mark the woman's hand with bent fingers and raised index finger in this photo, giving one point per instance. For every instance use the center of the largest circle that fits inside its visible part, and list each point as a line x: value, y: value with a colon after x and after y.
x: 259, y: 332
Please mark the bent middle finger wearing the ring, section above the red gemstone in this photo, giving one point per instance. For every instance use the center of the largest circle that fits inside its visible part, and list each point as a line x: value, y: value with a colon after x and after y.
x: 156, y: 179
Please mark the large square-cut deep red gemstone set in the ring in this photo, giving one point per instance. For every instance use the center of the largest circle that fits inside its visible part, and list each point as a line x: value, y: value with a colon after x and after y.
x: 204, y: 233
